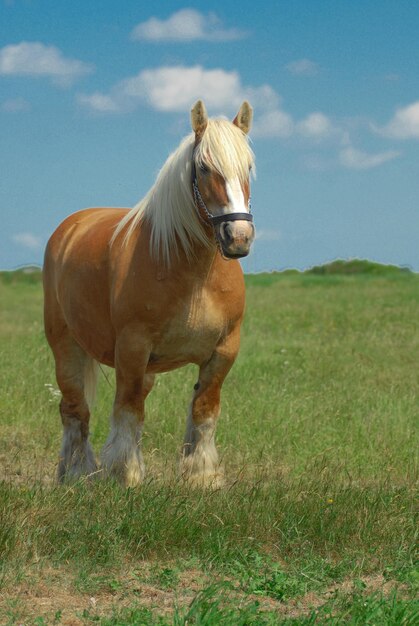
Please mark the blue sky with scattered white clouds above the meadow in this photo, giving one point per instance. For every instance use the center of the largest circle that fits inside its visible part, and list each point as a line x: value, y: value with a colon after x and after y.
x: 94, y: 96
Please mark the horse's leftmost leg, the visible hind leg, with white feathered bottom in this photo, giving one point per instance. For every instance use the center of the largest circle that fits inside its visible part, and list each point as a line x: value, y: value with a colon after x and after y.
x: 76, y: 374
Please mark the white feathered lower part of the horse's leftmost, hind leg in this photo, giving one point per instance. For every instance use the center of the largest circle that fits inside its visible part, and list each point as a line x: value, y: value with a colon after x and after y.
x: 76, y: 456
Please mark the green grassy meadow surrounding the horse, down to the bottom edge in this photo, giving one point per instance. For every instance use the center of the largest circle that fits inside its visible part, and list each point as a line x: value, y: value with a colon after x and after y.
x: 317, y: 523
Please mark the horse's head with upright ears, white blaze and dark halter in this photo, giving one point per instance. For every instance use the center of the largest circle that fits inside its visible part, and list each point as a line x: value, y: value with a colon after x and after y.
x: 221, y: 164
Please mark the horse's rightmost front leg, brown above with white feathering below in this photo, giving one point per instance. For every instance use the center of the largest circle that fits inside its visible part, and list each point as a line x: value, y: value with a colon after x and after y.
x: 200, y: 464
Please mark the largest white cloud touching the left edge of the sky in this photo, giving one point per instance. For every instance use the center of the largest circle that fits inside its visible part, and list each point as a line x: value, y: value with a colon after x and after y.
x: 38, y: 60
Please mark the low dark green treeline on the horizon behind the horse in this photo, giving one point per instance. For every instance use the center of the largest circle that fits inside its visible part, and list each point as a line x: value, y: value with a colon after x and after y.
x: 33, y: 274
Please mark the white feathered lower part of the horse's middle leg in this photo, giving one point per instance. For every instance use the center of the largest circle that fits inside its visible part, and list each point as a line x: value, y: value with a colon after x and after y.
x: 121, y: 455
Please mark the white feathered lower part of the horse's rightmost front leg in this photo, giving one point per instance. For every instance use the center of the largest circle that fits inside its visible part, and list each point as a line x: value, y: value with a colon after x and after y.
x: 199, y: 464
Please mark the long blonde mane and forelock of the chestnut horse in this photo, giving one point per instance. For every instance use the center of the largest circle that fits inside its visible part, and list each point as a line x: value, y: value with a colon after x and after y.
x: 169, y: 205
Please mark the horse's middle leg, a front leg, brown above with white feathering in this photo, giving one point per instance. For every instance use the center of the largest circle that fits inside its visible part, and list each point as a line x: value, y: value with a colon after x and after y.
x: 121, y: 454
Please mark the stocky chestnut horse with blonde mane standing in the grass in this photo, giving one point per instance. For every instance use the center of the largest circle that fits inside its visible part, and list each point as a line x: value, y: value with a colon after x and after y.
x: 152, y: 289
